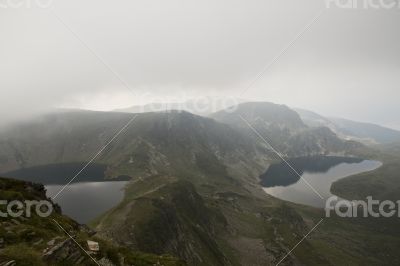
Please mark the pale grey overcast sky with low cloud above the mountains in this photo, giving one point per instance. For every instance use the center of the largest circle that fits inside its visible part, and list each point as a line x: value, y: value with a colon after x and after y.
x: 87, y: 53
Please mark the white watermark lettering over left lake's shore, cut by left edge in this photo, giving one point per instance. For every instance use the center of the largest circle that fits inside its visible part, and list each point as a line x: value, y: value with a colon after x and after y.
x: 16, y: 208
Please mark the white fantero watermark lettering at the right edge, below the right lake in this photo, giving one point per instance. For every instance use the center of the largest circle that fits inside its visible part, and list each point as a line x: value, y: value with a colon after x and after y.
x: 359, y: 208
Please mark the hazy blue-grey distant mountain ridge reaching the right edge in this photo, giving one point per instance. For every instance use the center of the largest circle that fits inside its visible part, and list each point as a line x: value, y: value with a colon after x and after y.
x: 364, y: 132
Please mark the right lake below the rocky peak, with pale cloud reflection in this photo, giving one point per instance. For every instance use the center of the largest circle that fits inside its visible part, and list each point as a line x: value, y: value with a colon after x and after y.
x: 320, y: 172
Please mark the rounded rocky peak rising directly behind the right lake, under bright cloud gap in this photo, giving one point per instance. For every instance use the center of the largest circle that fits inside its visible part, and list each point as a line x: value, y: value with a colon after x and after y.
x: 284, y: 130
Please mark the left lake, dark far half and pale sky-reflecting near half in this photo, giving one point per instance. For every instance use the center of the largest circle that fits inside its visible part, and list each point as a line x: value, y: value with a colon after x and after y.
x: 90, y: 194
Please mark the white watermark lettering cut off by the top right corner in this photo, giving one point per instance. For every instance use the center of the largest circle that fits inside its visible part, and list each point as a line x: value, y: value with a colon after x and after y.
x: 363, y: 4
